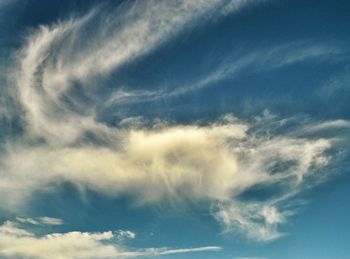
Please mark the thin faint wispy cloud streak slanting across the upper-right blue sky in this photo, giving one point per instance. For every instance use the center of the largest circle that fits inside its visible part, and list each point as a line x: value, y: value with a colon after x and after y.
x: 255, y: 61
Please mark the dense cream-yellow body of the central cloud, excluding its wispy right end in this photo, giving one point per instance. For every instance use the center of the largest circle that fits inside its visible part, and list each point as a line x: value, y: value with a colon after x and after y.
x: 171, y: 159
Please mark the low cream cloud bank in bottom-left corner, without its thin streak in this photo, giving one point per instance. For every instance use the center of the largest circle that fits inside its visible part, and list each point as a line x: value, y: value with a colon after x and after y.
x: 14, y: 243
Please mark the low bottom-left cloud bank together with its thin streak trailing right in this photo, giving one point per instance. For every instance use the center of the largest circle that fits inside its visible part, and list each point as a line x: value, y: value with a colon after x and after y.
x: 15, y: 241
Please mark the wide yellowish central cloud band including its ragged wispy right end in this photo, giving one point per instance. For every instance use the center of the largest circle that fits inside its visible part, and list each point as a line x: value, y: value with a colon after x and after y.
x: 218, y: 162
